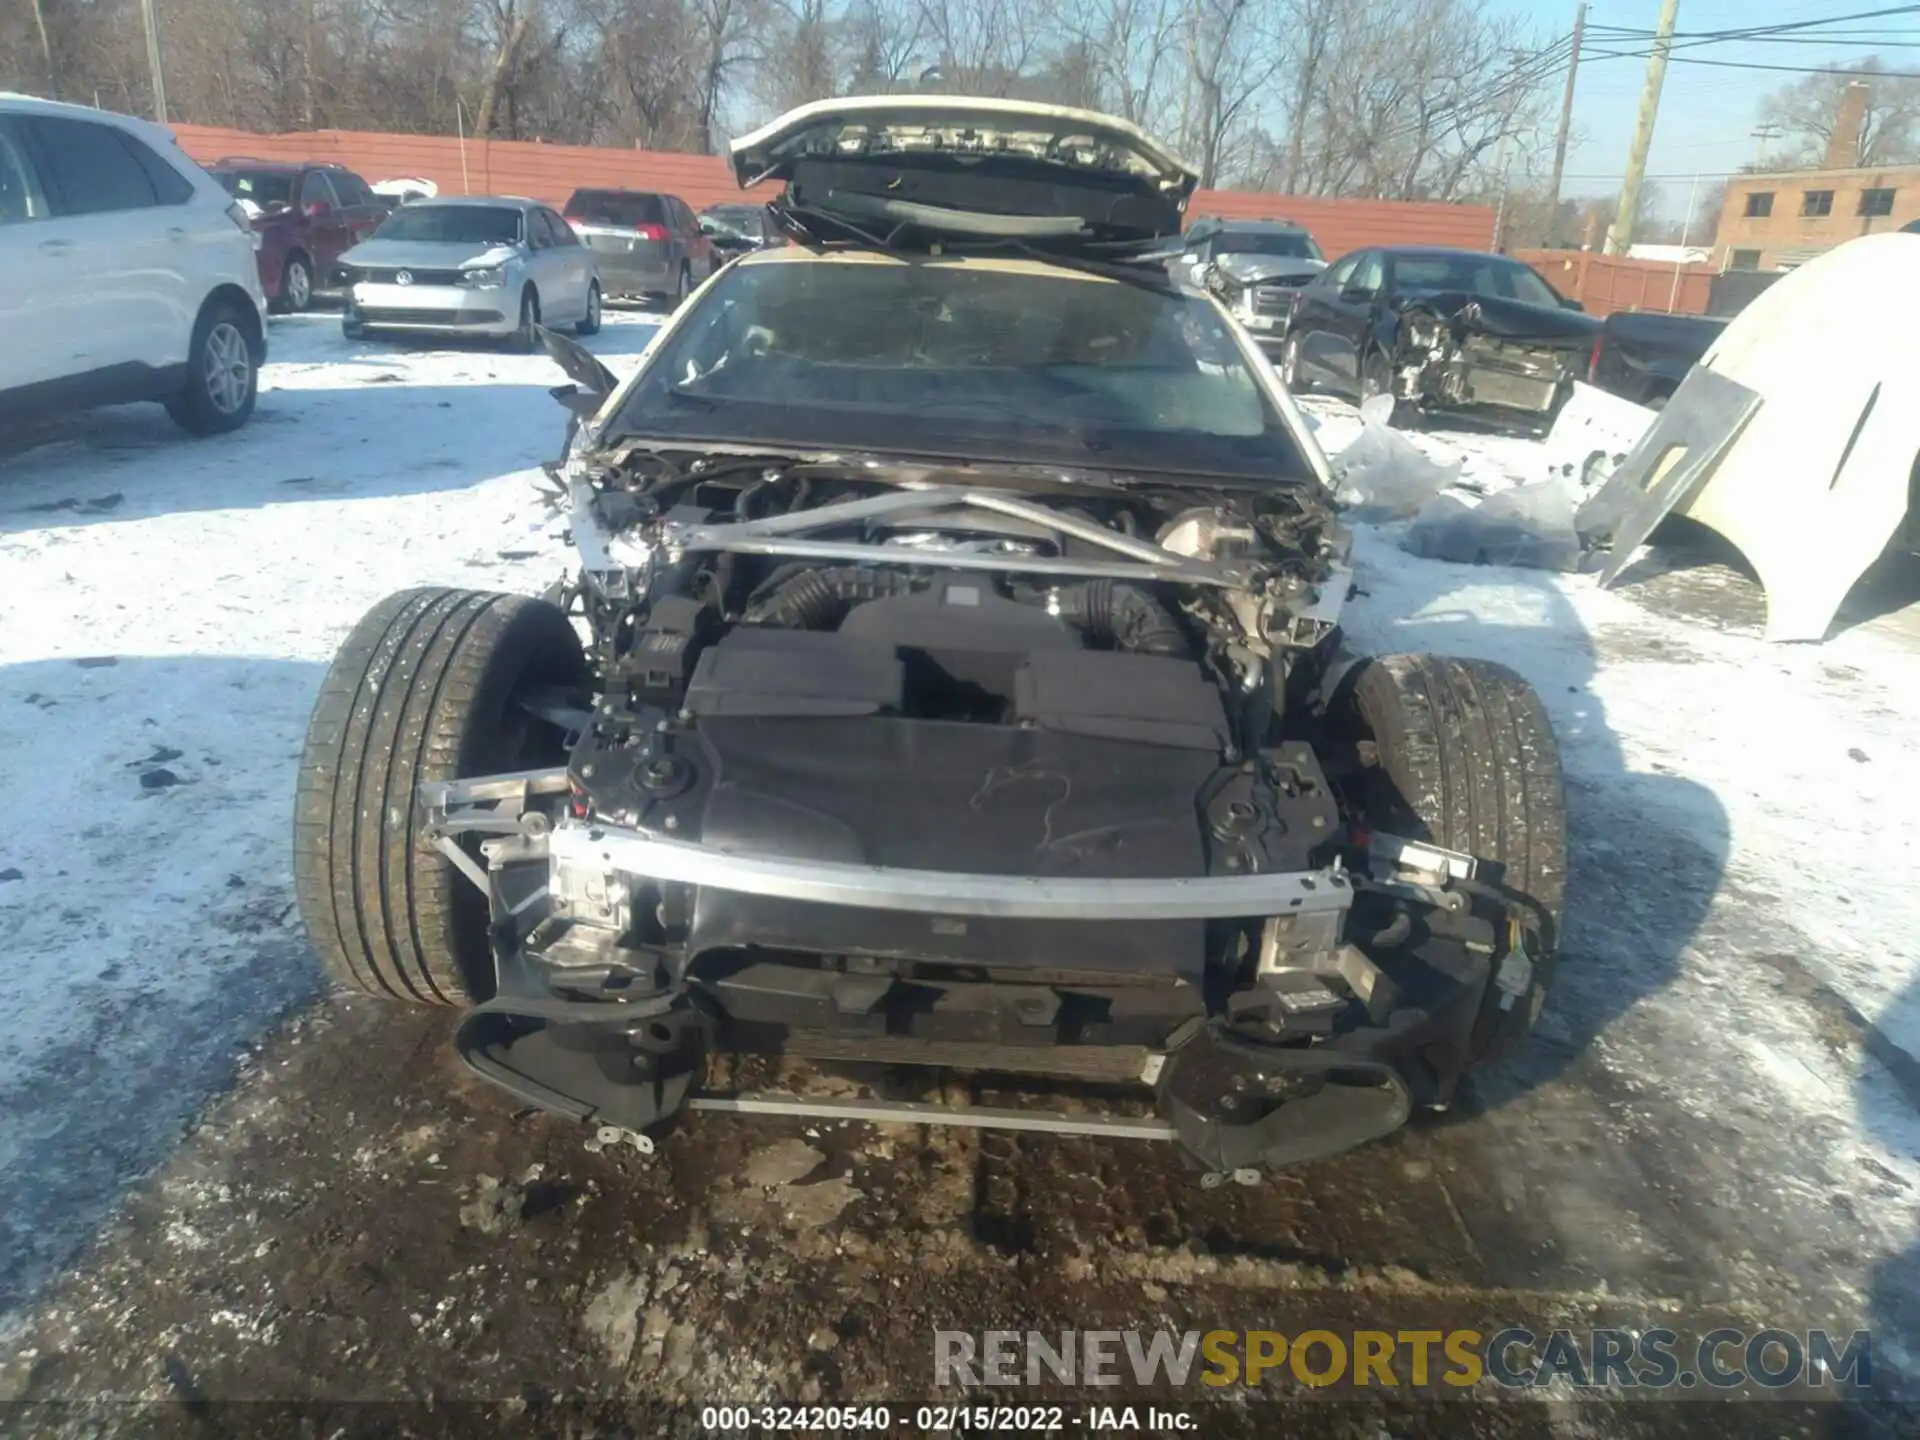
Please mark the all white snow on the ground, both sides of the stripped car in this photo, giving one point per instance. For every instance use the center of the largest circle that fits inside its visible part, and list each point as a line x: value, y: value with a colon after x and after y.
x: 1742, y: 930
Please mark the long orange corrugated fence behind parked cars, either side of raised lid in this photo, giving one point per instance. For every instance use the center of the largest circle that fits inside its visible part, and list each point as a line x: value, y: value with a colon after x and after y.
x: 546, y: 172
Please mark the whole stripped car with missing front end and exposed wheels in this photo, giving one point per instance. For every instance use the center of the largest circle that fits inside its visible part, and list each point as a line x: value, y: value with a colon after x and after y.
x: 953, y: 679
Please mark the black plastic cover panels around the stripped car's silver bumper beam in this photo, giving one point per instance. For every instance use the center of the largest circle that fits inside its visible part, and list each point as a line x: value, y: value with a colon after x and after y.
x: 1109, y: 769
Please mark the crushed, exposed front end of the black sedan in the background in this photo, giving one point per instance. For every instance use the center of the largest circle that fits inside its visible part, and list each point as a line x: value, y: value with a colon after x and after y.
x: 1499, y: 358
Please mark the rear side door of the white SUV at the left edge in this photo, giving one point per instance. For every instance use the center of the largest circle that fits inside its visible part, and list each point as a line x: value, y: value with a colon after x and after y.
x: 128, y: 264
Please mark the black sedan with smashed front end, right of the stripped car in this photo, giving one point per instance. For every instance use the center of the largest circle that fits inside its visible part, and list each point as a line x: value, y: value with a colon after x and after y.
x: 1443, y: 333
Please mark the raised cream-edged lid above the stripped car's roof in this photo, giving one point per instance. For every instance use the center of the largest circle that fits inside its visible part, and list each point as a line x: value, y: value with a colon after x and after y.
x: 961, y: 166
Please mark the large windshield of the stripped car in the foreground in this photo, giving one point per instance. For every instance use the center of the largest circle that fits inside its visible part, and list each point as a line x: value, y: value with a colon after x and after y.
x: 1007, y: 362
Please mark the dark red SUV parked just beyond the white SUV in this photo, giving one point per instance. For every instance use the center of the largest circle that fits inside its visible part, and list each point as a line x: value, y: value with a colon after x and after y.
x: 306, y: 218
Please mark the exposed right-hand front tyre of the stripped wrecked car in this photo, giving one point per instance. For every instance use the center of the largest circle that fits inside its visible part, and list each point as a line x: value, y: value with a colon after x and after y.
x: 1460, y: 754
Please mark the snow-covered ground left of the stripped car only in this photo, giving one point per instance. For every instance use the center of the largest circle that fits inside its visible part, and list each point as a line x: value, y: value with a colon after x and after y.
x: 172, y: 608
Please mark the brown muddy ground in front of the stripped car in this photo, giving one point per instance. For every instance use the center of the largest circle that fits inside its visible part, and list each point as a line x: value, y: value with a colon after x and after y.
x: 362, y: 1222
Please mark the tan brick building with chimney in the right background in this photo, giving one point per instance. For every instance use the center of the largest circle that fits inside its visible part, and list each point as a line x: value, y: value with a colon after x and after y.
x: 1773, y: 222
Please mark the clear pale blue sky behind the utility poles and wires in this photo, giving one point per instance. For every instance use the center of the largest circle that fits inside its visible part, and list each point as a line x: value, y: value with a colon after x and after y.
x: 1708, y: 114
